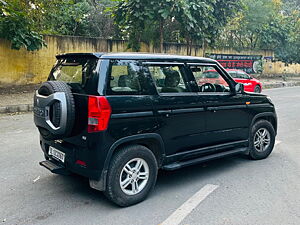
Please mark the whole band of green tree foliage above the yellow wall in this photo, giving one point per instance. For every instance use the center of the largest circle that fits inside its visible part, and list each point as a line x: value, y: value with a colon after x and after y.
x: 240, y: 24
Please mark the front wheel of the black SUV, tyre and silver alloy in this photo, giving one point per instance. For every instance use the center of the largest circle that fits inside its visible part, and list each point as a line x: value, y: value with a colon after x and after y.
x: 262, y: 140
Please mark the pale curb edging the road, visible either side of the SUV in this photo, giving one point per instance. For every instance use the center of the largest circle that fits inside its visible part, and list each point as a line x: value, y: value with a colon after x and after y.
x: 29, y: 107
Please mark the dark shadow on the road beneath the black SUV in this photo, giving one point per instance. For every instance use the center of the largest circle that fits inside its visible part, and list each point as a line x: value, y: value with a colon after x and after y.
x: 78, y: 187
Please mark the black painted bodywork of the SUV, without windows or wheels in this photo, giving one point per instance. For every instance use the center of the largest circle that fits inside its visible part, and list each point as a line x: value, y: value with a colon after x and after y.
x: 176, y: 126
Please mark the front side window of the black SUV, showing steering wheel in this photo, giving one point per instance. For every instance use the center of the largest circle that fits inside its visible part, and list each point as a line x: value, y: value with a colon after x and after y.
x: 209, y: 79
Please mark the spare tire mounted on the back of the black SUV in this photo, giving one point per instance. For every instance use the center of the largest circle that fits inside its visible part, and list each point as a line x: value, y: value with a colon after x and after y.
x: 48, y: 88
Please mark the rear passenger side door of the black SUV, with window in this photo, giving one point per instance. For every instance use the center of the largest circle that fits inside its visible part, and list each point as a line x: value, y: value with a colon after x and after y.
x: 180, y: 115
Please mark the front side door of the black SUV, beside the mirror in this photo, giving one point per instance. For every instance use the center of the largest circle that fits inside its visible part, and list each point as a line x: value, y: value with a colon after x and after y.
x: 225, y: 112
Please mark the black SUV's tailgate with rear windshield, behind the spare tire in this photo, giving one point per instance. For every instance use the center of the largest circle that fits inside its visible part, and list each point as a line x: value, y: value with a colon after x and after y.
x: 81, y: 73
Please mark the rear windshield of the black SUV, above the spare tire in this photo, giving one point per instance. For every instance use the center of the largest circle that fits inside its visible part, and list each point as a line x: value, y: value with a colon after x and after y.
x: 78, y: 70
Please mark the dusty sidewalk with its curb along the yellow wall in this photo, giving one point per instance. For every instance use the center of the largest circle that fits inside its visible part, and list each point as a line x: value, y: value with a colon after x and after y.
x: 20, y: 98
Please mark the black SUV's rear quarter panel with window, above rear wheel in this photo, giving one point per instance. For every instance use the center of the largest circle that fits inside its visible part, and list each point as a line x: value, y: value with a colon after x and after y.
x: 130, y: 97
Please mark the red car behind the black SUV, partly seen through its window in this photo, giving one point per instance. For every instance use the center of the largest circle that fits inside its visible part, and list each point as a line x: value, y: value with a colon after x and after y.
x: 250, y: 84
